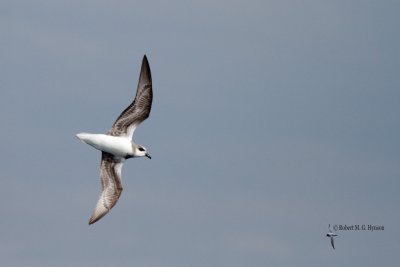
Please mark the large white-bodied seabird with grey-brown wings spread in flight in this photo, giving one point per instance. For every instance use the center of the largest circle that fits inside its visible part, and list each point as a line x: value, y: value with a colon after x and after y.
x: 116, y: 145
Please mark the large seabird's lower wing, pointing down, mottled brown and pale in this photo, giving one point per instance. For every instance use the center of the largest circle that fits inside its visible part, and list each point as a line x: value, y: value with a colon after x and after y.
x: 111, y: 187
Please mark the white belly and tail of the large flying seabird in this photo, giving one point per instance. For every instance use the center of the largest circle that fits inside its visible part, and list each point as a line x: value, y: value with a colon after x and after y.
x: 118, y: 146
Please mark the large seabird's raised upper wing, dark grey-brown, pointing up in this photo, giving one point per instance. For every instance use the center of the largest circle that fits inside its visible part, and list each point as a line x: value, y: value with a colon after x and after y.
x: 139, y: 109
